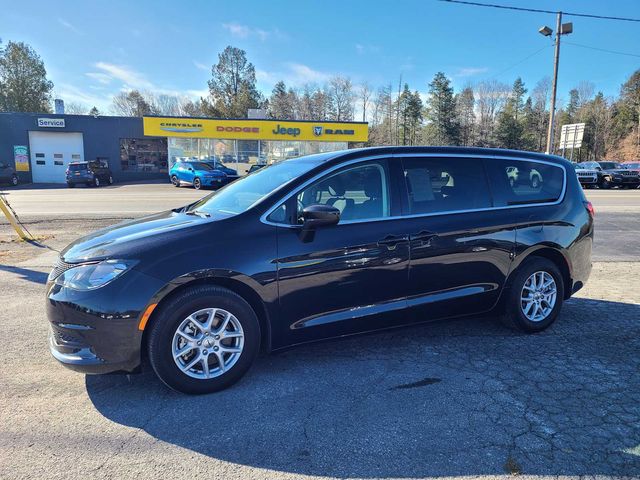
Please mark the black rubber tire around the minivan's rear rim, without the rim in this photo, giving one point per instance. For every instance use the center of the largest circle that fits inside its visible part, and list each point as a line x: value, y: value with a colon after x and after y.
x: 513, y: 315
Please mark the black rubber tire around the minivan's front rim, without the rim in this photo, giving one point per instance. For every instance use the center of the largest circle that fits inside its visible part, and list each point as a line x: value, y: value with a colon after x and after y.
x: 169, y: 318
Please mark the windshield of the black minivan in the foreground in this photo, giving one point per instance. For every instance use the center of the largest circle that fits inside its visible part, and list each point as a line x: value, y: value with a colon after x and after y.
x: 242, y: 194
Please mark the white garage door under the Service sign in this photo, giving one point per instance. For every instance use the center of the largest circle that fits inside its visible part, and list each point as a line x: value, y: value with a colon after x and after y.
x: 51, y: 152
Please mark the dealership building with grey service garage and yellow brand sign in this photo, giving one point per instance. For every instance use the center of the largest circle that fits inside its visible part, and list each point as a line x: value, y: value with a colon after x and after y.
x: 142, y: 148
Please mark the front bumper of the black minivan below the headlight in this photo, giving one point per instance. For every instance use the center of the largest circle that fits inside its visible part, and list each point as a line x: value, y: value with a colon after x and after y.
x: 97, y: 331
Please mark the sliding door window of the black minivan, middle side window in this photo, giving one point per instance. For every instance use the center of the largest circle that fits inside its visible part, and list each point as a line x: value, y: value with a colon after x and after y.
x: 445, y: 184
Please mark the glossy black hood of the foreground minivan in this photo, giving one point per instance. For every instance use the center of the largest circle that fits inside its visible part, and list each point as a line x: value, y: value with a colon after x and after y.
x: 126, y: 240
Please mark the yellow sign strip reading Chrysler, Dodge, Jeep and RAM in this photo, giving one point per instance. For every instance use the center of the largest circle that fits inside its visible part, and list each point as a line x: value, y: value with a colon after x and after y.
x: 256, y: 129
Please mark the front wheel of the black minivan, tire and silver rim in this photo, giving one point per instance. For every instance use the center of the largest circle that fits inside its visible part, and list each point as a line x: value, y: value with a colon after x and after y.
x: 204, y: 340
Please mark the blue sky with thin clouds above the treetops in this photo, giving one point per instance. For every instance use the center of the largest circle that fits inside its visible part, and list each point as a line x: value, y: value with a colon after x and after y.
x: 95, y: 49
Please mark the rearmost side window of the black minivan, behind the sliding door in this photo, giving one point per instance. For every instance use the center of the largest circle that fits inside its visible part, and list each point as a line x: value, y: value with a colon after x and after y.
x: 515, y: 182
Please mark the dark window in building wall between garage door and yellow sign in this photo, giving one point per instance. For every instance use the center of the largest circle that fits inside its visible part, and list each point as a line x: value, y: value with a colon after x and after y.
x: 145, y: 155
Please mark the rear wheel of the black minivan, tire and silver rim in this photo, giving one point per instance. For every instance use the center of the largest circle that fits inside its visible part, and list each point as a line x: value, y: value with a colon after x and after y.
x: 535, y: 296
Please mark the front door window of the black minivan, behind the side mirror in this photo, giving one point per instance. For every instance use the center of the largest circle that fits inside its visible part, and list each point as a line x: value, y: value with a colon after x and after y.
x: 360, y: 192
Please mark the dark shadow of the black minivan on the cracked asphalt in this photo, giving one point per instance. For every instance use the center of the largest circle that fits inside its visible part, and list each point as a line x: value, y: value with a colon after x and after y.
x: 457, y: 398
